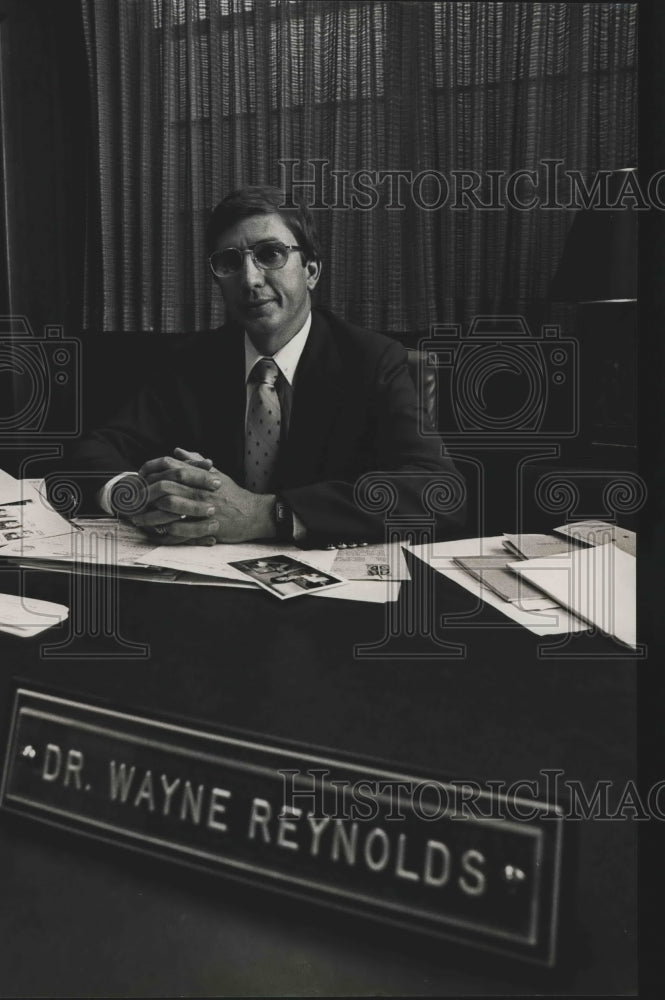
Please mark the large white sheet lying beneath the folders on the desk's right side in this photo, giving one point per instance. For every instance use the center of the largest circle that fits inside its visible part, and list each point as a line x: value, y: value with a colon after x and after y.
x: 439, y: 555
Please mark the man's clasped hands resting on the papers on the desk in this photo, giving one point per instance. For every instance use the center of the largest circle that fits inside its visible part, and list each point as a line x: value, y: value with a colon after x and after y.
x: 189, y: 502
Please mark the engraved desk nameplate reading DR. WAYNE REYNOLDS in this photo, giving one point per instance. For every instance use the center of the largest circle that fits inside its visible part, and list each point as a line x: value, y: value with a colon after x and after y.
x: 418, y: 853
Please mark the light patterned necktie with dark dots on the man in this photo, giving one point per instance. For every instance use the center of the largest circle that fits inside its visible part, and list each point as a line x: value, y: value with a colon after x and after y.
x: 263, y: 427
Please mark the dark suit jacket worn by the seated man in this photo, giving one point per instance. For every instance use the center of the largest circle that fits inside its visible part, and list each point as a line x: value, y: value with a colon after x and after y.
x: 354, y: 411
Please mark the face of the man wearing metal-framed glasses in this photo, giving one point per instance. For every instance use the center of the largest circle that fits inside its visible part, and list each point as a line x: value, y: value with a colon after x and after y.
x: 271, y: 305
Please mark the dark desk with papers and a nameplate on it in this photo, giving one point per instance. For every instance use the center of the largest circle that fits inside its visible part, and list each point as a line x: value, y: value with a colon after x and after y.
x: 83, y: 919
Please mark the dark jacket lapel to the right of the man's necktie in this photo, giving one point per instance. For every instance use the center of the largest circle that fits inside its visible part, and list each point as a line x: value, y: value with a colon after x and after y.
x: 317, y: 397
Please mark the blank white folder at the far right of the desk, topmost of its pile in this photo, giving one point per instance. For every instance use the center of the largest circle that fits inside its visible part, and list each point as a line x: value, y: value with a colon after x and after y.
x: 597, y: 584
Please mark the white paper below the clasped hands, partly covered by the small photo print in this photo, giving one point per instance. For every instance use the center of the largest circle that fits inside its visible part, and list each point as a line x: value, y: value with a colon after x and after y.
x: 213, y: 560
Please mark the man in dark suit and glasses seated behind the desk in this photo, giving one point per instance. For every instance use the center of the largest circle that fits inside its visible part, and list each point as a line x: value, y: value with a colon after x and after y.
x: 289, y: 404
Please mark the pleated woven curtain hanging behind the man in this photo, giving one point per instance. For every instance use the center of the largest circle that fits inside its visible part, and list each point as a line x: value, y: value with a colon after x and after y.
x: 192, y: 98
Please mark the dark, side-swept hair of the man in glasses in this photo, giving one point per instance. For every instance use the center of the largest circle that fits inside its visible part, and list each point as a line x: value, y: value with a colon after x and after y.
x: 263, y: 200
